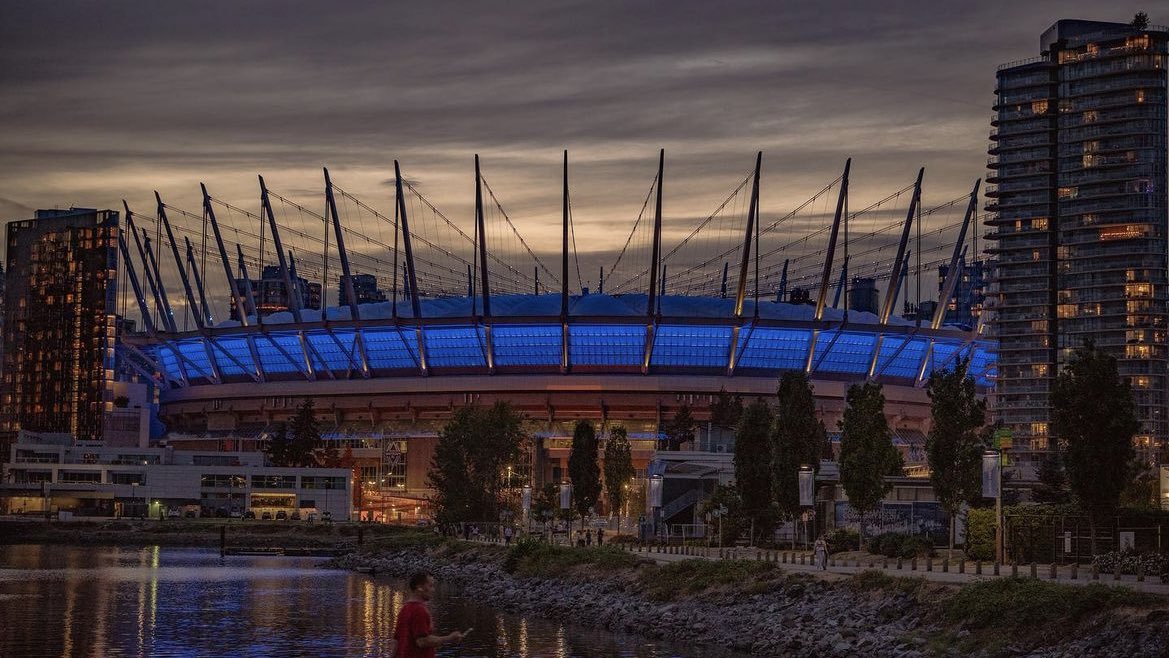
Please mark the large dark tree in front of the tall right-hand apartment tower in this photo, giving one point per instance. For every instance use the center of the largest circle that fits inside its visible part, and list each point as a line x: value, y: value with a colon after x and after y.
x: 1095, y: 420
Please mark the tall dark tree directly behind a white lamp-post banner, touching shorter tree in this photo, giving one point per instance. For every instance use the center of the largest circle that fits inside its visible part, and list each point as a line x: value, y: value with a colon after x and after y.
x: 798, y: 440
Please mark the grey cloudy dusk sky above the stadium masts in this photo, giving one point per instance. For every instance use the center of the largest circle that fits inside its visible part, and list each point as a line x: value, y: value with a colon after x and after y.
x: 108, y: 101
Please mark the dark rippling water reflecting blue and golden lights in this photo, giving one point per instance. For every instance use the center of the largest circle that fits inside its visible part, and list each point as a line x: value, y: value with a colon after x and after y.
x: 122, y: 602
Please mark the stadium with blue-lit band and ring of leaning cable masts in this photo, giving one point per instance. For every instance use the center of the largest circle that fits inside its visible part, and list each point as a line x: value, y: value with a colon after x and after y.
x: 471, y: 317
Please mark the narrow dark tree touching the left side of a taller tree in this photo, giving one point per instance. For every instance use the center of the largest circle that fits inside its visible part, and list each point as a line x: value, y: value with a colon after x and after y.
x: 753, y: 466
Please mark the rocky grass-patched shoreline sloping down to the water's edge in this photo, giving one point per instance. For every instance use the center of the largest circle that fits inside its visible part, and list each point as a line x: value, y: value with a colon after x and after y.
x: 798, y: 615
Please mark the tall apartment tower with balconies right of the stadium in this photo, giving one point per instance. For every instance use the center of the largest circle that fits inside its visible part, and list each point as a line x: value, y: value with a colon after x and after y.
x: 1078, y: 195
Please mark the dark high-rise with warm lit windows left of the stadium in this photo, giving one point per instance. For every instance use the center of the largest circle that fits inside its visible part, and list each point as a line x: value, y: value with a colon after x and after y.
x: 60, y: 323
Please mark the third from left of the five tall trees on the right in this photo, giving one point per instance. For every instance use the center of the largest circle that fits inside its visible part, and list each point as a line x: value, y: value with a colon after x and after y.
x: 867, y: 451
